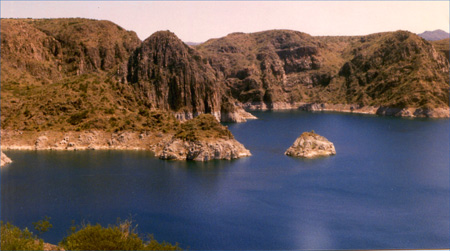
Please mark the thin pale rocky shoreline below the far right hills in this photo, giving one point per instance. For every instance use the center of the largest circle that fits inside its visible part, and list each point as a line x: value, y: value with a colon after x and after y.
x: 352, y: 108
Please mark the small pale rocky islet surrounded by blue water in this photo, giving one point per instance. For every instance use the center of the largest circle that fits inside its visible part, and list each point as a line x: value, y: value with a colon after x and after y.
x: 311, y: 145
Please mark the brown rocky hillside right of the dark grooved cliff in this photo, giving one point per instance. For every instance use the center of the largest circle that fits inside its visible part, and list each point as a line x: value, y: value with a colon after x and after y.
x: 281, y: 68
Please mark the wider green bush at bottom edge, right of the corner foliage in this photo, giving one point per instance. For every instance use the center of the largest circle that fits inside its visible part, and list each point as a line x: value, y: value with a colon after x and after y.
x: 121, y: 236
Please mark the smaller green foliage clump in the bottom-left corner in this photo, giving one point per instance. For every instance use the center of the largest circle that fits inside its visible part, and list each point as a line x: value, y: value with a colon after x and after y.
x: 13, y: 238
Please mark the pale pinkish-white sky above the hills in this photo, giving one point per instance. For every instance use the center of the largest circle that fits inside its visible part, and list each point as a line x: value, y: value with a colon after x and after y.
x: 198, y: 21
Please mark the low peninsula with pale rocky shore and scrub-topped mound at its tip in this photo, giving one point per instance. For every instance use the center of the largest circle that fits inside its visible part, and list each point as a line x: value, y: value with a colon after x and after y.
x: 201, y: 139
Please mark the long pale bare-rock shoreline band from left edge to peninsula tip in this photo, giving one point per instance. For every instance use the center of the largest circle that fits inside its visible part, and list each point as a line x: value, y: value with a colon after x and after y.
x: 165, y: 146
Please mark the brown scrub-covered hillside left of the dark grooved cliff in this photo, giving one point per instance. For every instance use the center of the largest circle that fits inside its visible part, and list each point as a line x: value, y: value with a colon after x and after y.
x: 61, y: 74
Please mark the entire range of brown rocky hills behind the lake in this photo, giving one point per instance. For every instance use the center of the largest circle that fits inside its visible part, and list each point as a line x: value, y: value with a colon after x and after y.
x: 81, y: 74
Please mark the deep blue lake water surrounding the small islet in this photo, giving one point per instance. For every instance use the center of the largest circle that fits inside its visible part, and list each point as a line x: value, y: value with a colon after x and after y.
x: 387, y: 187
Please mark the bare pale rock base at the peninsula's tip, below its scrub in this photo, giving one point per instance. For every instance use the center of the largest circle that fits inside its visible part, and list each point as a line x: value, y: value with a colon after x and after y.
x: 177, y: 149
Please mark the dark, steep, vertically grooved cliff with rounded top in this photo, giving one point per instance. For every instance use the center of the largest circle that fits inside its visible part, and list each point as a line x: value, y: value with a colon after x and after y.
x: 170, y: 75
